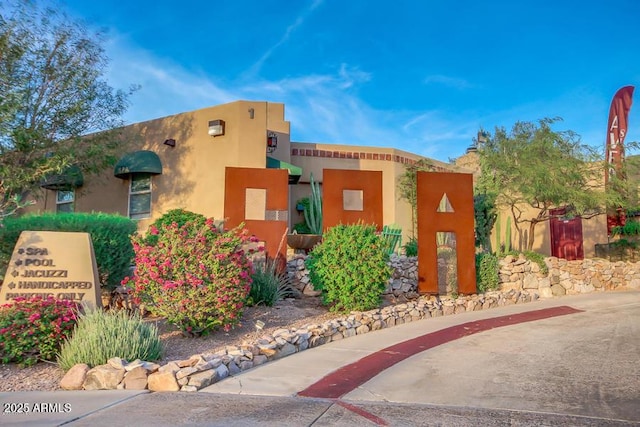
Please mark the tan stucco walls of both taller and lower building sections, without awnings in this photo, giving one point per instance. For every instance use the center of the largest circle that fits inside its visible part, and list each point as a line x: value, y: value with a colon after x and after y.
x: 194, y: 170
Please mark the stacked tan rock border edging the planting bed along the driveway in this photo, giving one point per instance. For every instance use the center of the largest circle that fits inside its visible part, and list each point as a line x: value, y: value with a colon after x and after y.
x: 522, y: 282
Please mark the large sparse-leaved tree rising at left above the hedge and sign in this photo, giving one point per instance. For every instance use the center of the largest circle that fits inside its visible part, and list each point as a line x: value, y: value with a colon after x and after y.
x: 56, y: 110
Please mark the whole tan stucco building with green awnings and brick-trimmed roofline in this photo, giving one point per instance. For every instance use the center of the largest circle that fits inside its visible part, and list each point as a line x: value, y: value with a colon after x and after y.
x: 181, y: 161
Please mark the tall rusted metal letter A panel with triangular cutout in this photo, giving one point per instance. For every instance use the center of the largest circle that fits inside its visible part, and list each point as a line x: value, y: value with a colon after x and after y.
x: 458, y: 187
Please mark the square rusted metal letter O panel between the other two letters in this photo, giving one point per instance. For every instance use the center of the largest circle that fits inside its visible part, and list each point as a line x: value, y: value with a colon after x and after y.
x: 335, y: 181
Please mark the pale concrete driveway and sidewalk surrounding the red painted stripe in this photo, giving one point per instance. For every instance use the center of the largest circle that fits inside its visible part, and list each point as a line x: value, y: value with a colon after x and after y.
x: 571, y: 369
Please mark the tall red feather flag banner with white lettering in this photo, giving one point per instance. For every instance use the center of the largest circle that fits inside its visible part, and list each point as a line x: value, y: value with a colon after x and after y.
x: 614, y: 150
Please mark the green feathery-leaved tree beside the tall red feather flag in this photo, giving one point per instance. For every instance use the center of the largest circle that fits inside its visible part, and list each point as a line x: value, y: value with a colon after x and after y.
x: 533, y: 169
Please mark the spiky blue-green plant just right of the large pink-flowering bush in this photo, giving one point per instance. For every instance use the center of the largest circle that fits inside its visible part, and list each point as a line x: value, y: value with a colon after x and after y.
x: 269, y: 283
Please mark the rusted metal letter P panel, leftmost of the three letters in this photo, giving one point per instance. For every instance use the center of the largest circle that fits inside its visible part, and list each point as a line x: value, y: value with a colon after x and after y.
x: 275, y: 183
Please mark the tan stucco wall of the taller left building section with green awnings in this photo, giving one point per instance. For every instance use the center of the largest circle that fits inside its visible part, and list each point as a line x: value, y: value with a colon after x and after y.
x: 193, y: 171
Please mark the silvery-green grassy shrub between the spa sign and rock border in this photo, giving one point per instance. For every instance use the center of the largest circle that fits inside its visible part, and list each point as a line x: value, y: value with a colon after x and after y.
x: 101, y: 335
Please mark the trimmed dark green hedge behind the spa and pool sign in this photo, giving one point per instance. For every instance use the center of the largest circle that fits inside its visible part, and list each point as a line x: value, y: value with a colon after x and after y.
x: 110, y: 235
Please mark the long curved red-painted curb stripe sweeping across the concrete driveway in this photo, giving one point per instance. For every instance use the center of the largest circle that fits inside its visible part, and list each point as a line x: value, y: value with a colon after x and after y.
x: 351, y: 376
